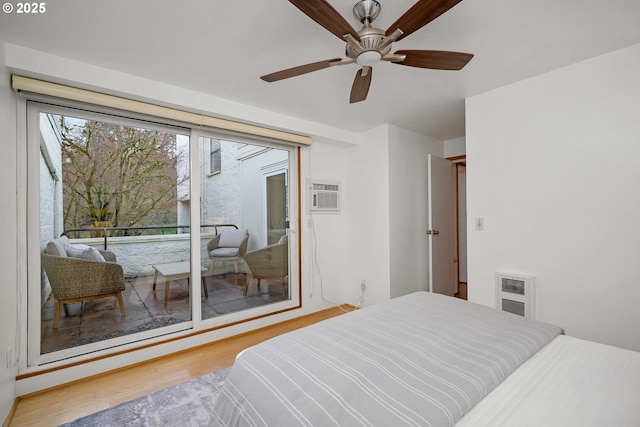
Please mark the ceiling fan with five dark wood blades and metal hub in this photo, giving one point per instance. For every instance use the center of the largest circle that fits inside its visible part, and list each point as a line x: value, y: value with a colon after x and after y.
x: 371, y: 45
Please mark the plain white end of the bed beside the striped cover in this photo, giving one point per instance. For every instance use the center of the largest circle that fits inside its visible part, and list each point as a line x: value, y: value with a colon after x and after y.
x: 570, y: 382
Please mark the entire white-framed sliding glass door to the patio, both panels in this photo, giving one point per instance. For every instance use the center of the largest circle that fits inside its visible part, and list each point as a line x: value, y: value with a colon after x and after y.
x: 113, y: 256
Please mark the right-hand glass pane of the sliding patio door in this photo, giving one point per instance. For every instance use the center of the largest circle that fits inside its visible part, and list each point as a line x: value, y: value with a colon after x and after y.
x: 242, y: 271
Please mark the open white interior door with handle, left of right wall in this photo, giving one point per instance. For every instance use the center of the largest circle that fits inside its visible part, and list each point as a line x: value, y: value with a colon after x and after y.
x: 442, y: 223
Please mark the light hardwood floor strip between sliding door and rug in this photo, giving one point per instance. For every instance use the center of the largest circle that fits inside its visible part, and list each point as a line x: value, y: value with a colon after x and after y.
x: 80, y: 398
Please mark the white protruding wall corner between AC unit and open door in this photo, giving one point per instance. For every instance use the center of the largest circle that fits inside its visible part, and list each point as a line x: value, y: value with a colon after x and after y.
x: 387, y: 212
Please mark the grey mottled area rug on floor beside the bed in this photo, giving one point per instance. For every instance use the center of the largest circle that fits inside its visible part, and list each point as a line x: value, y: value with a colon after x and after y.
x: 185, y: 404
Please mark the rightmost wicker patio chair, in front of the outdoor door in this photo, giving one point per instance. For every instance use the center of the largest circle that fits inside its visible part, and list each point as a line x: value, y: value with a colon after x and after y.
x: 270, y: 262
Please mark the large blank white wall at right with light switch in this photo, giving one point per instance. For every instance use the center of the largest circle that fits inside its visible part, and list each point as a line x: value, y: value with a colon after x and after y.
x: 554, y: 168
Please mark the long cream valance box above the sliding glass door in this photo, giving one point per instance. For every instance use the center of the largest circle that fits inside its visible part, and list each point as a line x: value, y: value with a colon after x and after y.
x: 82, y: 95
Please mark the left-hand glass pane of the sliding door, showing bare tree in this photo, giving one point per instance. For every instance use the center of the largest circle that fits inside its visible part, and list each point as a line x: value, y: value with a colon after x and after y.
x: 114, y: 205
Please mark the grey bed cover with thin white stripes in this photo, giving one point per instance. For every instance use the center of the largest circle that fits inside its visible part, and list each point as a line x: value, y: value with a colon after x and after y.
x: 418, y: 360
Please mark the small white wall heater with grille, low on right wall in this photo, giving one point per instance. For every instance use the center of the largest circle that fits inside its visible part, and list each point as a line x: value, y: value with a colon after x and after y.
x: 516, y: 294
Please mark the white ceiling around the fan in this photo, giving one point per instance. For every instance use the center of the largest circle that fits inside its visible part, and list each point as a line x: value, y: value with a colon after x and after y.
x: 221, y: 47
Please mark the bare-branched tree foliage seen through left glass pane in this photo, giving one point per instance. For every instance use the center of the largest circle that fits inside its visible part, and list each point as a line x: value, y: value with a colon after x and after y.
x: 118, y: 175
